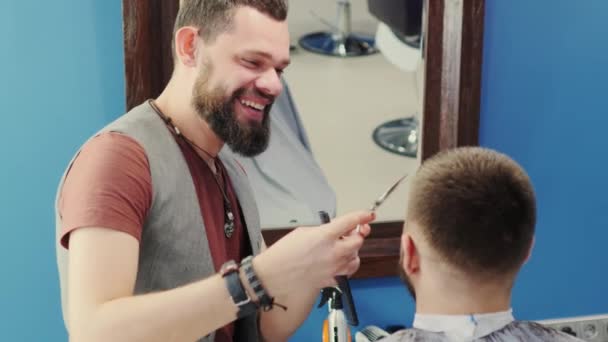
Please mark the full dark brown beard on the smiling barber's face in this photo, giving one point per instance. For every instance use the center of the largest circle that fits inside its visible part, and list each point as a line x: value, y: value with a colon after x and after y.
x: 217, y: 109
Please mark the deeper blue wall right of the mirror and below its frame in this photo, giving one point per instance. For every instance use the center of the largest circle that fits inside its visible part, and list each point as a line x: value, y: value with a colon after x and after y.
x: 544, y: 91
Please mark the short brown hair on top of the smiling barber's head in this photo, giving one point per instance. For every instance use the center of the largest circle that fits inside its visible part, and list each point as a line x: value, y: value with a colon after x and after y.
x: 216, y: 16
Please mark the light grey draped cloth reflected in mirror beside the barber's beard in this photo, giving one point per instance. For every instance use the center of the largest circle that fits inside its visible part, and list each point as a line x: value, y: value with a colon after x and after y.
x: 289, y: 186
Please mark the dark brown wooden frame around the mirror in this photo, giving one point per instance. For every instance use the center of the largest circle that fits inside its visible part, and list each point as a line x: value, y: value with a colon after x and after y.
x: 452, y: 87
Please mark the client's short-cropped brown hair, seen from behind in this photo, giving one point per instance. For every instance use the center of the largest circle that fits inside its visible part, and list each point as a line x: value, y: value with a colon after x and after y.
x: 477, y: 209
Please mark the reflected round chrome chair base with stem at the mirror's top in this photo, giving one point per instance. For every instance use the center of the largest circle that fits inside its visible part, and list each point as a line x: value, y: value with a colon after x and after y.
x: 341, y: 42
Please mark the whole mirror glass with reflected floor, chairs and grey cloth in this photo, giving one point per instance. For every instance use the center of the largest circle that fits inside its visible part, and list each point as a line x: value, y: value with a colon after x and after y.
x: 347, y: 124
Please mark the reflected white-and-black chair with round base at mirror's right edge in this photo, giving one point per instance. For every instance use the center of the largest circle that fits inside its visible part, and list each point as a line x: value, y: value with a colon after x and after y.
x: 399, y: 38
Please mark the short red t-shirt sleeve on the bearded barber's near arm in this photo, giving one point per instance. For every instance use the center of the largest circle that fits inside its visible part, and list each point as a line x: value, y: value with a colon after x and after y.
x: 109, y: 185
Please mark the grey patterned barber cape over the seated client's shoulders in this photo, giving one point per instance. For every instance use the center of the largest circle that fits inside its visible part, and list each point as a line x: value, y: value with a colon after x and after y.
x: 513, y: 332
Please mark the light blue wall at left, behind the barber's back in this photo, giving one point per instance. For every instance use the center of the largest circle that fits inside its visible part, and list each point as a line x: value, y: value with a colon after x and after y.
x: 61, y: 72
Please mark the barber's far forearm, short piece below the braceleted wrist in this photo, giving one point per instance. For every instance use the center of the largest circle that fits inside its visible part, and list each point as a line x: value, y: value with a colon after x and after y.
x: 278, y: 324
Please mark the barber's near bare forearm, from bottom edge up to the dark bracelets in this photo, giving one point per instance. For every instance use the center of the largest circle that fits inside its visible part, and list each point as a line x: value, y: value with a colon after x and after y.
x: 182, y: 314
